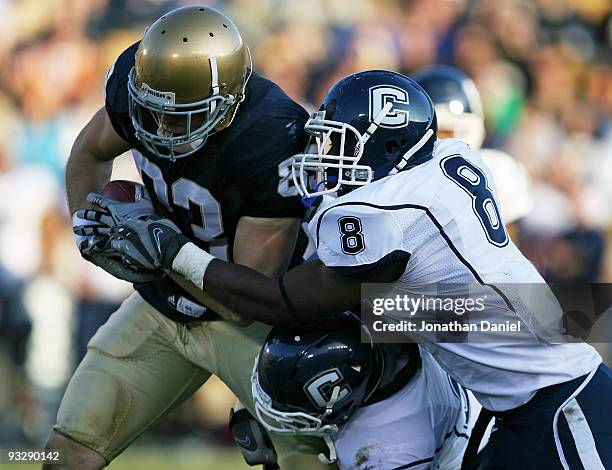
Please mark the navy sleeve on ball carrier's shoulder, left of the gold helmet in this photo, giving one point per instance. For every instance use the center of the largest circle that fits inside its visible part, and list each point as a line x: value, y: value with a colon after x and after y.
x: 116, y: 95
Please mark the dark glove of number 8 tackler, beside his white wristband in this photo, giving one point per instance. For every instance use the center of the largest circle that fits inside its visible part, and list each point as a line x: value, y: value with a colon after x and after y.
x: 152, y: 241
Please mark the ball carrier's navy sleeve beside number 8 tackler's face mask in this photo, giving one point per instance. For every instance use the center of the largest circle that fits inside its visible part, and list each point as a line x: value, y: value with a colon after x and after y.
x: 265, y: 183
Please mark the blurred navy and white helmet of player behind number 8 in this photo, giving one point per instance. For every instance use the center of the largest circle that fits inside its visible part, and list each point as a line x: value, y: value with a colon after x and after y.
x: 457, y: 103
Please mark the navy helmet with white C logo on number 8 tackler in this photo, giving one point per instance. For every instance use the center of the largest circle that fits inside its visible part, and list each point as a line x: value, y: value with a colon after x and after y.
x: 371, y: 124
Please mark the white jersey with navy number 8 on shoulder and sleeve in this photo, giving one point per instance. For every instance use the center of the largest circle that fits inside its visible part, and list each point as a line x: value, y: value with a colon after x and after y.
x: 443, y: 214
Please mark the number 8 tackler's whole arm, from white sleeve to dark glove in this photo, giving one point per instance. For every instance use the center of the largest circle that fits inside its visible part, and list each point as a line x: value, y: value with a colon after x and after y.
x: 303, y: 294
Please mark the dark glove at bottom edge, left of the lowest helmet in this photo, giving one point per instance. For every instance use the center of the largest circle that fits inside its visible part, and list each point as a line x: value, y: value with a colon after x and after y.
x: 251, y: 437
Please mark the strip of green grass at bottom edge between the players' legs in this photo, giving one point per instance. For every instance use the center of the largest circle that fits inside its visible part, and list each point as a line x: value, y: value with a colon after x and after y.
x: 168, y: 458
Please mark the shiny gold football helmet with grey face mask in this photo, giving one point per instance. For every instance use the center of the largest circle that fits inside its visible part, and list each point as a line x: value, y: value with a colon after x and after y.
x: 190, y: 76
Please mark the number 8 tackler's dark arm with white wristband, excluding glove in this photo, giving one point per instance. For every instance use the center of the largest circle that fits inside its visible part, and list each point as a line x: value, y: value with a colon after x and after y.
x: 305, y: 294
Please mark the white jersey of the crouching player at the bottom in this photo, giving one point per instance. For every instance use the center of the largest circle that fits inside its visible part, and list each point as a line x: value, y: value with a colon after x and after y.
x: 425, y: 425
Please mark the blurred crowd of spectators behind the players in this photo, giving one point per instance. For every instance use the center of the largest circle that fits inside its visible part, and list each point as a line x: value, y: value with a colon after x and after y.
x: 543, y: 68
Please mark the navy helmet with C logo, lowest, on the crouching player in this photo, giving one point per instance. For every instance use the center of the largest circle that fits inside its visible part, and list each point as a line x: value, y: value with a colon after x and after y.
x: 310, y: 379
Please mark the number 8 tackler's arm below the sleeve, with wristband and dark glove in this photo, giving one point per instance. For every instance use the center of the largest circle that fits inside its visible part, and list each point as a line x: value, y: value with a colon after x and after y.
x: 310, y: 290
